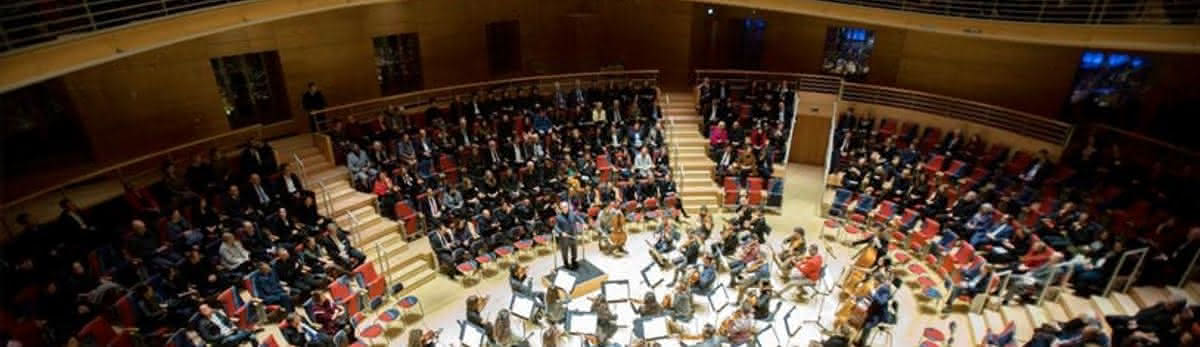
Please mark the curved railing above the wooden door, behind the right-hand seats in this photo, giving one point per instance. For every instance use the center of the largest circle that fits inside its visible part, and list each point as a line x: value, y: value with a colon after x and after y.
x: 1021, y: 123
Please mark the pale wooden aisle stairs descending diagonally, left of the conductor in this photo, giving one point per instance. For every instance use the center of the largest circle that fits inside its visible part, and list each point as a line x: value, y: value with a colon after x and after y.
x: 380, y: 238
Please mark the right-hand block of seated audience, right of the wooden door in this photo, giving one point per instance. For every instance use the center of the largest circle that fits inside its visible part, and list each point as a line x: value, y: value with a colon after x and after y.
x: 976, y: 225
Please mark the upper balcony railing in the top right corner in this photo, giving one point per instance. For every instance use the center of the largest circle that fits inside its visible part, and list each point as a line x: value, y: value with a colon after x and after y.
x: 1051, y: 11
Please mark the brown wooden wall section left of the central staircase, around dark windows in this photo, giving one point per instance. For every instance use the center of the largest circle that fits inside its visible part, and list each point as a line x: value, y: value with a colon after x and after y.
x: 170, y: 95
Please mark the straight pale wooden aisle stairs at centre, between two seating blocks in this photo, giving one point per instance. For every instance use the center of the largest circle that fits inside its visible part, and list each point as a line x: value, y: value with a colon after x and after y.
x: 694, y: 170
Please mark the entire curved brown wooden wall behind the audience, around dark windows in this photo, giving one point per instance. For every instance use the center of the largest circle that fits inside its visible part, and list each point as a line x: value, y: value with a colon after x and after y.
x: 167, y: 97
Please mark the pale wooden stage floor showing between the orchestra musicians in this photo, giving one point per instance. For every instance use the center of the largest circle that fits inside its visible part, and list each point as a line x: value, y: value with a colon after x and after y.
x: 445, y: 300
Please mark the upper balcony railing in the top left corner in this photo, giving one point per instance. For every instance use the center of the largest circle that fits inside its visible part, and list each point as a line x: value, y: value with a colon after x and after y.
x: 26, y: 23
